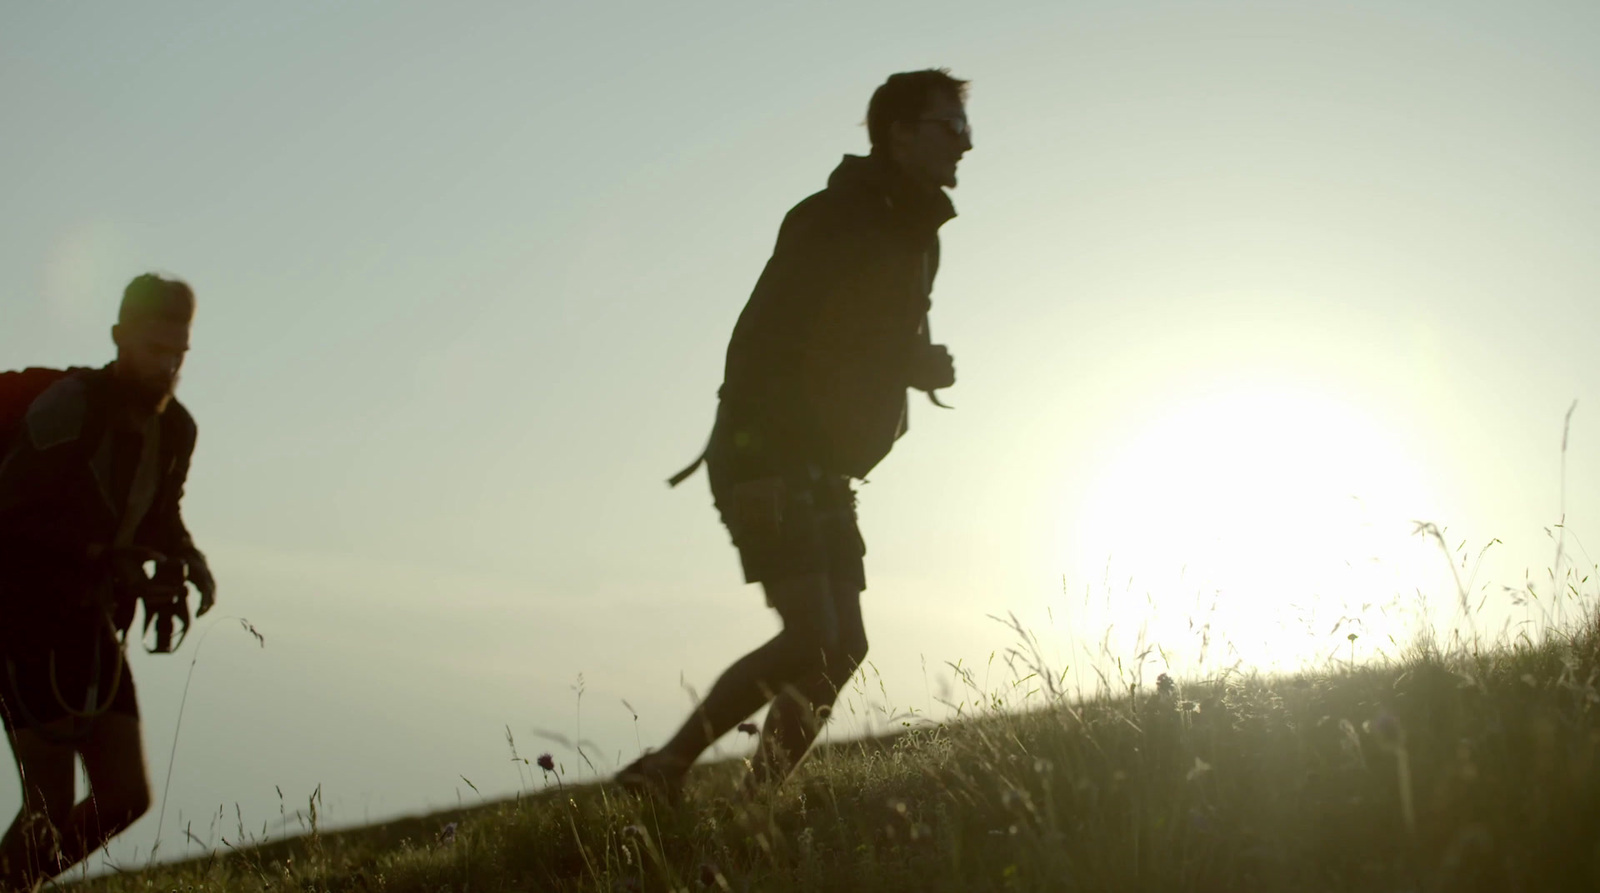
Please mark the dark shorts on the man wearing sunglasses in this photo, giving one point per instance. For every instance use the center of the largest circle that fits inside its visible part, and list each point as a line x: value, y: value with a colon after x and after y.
x: 818, y: 532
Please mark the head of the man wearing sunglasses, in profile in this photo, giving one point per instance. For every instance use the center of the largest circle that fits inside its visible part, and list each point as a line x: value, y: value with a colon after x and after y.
x: 919, y: 121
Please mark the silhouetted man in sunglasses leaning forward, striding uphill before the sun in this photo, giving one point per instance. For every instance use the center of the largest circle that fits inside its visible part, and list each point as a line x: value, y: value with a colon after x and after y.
x: 814, y: 396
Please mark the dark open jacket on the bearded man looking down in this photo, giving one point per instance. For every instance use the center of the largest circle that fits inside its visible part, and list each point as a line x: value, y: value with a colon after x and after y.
x: 65, y: 487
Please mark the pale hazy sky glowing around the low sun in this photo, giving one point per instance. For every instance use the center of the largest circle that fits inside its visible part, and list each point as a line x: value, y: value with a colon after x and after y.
x: 1238, y: 294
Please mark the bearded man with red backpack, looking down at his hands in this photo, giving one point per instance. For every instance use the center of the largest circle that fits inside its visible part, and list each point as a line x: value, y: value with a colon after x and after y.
x: 90, y: 487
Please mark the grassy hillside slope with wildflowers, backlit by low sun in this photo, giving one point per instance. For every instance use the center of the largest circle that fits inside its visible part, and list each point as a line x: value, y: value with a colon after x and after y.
x: 1474, y: 772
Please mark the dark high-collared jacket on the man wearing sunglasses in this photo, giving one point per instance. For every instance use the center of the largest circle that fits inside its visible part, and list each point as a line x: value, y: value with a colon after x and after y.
x: 826, y: 346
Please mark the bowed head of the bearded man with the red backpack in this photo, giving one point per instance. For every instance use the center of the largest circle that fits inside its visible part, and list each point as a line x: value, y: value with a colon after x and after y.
x: 153, y: 337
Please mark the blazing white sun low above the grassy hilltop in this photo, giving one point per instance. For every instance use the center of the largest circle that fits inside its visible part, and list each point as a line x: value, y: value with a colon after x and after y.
x: 1257, y: 526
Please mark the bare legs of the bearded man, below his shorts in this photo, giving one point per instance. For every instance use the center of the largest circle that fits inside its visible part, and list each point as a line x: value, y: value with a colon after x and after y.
x: 119, y: 795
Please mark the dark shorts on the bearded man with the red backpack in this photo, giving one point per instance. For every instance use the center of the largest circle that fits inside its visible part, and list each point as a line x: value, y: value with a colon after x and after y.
x: 89, y: 679
